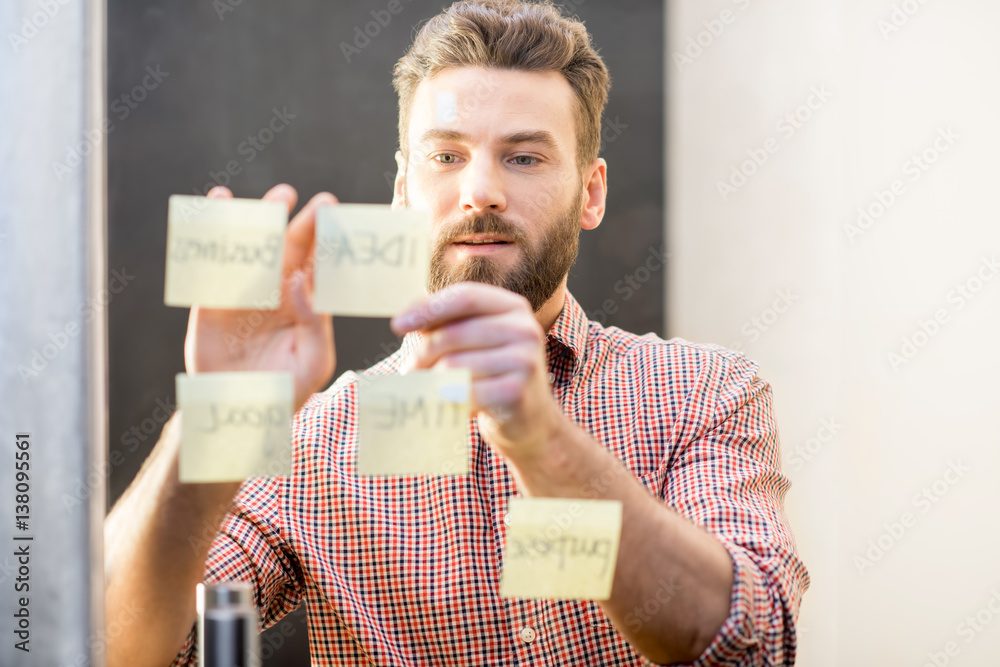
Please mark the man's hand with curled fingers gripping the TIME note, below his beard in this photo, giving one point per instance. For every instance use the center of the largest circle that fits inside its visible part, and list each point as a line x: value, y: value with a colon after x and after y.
x: 494, y: 333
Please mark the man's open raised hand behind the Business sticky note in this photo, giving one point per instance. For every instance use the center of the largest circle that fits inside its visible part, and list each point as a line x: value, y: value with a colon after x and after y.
x: 292, y: 338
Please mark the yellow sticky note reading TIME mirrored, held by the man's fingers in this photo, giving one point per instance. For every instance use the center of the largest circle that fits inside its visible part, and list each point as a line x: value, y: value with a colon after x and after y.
x: 414, y: 424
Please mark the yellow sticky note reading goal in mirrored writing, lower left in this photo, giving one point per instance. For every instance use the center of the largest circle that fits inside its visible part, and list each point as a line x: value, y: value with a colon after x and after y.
x: 235, y: 425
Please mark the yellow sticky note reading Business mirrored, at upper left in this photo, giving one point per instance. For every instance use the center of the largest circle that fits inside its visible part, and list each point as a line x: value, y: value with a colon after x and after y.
x: 224, y: 253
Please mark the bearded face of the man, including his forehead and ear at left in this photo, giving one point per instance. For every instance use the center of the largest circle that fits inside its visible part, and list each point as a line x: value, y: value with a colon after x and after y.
x: 492, y: 158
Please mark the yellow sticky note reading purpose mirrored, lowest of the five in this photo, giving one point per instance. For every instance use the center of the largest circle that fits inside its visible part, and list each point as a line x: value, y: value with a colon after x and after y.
x: 561, y: 548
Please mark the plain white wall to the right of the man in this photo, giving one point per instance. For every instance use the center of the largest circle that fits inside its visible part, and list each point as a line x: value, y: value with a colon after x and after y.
x: 897, y: 76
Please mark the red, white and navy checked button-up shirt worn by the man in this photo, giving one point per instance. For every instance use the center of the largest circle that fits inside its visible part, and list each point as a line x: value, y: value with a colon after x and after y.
x: 406, y: 570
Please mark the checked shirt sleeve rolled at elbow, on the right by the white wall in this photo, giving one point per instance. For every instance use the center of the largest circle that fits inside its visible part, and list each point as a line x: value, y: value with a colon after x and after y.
x: 727, y: 478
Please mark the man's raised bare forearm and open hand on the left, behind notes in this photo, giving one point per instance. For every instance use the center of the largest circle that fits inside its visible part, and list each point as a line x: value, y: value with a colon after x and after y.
x: 152, y: 567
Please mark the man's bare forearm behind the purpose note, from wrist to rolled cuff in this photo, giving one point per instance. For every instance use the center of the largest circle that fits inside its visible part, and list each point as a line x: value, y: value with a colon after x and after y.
x: 657, y: 545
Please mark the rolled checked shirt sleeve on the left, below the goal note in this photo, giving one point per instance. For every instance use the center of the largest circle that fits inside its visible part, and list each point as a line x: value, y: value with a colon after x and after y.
x: 248, y: 547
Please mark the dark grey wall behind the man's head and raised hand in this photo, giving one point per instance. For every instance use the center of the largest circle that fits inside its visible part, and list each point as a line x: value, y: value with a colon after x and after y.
x: 189, y: 82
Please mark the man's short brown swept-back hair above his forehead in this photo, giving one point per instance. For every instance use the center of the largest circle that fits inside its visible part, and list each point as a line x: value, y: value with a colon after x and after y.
x: 509, y: 34
